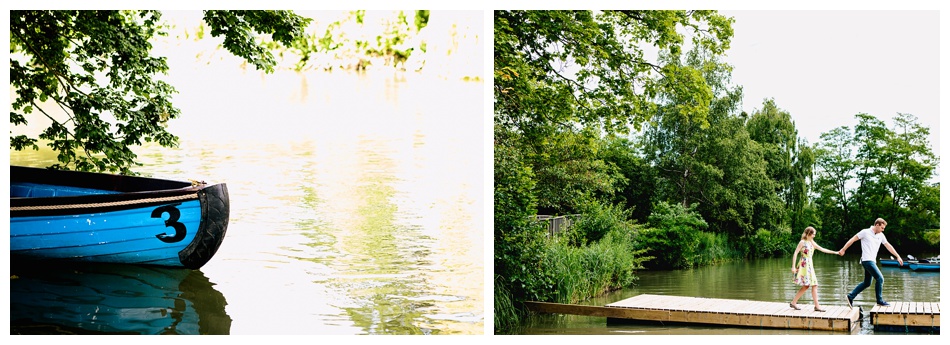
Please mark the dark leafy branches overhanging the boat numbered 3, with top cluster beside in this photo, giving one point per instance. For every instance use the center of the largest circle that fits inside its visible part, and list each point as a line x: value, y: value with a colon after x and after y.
x: 93, y: 76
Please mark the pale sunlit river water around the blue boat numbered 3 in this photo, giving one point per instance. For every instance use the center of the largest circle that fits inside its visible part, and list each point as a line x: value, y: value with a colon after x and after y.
x: 357, y: 207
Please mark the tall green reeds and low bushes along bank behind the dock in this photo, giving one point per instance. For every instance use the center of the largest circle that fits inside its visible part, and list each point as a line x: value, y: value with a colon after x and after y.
x: 602, y: 253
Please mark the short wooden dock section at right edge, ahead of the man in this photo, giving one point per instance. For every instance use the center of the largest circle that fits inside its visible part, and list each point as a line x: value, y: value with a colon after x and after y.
x: 907, y: 317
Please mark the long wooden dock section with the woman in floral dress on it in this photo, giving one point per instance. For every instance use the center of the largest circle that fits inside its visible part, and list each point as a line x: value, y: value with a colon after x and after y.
x: 714, y: 311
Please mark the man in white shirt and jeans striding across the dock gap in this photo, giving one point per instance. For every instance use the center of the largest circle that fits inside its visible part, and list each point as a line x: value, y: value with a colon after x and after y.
x: 871, y: 240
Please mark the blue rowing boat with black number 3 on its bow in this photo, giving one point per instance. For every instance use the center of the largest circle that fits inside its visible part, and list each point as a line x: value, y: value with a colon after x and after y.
x: 91, y: 217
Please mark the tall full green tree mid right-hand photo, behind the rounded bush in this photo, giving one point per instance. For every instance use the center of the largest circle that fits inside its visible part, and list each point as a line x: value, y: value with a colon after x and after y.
x: 717, y: 166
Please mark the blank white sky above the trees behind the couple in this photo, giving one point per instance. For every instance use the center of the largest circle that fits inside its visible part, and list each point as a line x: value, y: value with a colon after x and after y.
x: 823, y: 67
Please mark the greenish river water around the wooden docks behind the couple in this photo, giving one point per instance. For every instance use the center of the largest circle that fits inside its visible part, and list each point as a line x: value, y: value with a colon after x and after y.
x: 760, y: 280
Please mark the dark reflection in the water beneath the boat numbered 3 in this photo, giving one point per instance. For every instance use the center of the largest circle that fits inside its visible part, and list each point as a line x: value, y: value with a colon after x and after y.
x: 114, y: 299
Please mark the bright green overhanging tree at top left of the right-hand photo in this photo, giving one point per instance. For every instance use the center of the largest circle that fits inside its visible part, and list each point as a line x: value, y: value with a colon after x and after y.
x: 564, y: 80
